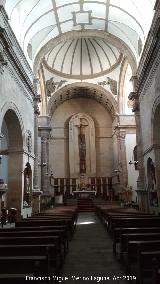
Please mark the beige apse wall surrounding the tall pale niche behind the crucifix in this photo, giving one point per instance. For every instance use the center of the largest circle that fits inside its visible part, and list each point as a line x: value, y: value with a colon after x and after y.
x: 59, y: 161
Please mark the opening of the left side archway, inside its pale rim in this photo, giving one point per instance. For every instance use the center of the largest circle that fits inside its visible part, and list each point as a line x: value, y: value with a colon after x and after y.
x: 12, y: 159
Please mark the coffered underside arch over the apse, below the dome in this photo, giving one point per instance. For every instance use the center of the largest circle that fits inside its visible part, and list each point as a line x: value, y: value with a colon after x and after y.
x: 95, y: 92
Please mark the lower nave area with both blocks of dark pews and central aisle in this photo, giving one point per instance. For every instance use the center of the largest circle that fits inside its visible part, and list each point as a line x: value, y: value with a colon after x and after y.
x: 114, y: 244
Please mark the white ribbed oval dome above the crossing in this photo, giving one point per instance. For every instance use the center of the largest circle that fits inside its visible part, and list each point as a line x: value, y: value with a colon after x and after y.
x: 82, y: 58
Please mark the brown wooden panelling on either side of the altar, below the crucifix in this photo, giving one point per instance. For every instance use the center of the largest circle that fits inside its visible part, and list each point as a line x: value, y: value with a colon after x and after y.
x: 66, y: 186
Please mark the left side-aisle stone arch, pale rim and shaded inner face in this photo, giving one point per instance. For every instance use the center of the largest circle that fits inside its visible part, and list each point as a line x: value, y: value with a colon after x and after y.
x: 14, y: 154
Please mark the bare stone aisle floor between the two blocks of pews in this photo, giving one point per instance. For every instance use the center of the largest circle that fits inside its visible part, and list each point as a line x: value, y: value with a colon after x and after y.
x: 90, y: 258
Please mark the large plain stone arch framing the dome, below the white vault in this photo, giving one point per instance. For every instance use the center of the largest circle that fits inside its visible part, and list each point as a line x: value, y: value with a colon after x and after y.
x: 118, y: 43
